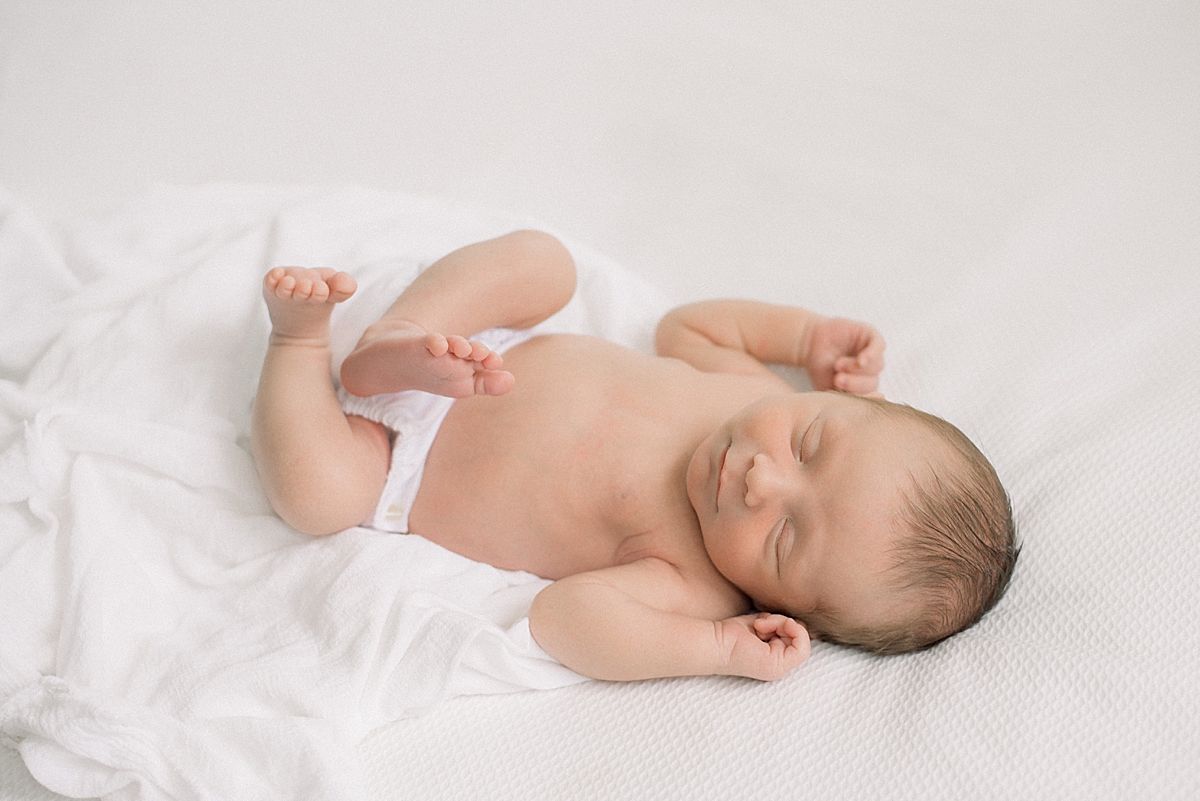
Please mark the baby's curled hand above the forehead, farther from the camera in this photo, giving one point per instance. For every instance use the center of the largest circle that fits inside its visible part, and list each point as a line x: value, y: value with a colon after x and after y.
x: 845, y: 356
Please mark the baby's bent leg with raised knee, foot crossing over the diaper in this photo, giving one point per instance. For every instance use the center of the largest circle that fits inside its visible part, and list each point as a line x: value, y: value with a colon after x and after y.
x: 514, y: 281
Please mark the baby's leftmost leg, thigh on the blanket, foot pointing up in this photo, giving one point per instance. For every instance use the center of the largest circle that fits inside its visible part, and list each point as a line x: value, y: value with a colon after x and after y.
x: 323, y: 471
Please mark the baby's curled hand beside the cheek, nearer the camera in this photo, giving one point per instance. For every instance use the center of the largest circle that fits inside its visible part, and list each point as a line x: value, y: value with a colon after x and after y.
x: 763, y: 646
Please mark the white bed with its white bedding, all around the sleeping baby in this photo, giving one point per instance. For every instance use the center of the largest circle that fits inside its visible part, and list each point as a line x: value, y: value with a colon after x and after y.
x: 1012, y: 195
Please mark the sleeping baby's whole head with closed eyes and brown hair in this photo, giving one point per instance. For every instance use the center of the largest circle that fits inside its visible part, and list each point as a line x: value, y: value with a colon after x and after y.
x: 875, y: 525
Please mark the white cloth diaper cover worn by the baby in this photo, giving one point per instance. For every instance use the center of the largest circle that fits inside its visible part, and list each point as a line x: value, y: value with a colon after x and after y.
x: 413, y: 418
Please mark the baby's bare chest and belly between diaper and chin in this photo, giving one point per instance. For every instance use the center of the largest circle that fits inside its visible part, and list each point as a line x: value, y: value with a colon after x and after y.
x: 553, y: 477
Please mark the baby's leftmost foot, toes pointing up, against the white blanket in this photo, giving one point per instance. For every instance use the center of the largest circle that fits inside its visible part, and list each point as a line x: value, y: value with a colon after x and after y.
x: 301, y: 302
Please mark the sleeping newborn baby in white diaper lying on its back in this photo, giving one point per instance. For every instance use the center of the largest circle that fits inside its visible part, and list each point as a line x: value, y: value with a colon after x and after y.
x: 697, y: 514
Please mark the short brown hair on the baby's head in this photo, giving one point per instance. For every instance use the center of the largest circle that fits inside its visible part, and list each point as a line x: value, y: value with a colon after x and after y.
x: 957, y: 552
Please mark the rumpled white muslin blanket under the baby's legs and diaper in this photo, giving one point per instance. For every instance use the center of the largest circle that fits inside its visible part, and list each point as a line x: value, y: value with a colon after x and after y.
x: 163, y: 634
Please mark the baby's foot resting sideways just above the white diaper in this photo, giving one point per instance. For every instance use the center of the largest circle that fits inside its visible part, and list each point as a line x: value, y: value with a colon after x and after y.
x: 398, y: 356
